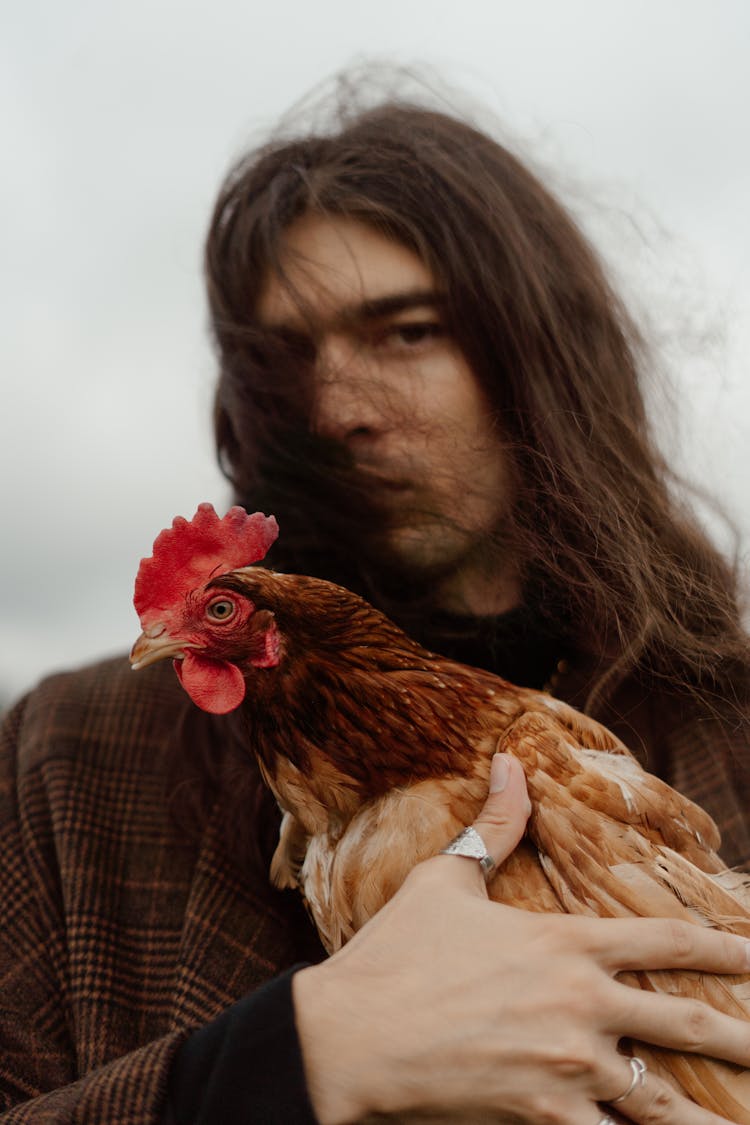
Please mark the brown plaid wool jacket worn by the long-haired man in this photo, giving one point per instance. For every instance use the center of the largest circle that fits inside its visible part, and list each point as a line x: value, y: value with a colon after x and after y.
x: 118, y: 934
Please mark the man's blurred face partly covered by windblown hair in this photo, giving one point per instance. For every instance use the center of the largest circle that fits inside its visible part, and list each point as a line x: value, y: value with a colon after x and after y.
x: 394, y: 388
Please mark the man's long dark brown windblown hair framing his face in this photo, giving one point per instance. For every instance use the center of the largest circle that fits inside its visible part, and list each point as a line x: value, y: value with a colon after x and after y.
x: 607, y: 548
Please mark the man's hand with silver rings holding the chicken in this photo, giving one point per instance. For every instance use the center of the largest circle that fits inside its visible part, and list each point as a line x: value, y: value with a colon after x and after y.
x: 449, y: 1004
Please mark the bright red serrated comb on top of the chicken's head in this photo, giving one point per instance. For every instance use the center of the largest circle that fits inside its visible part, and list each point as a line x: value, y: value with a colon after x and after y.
x: 192, y: 553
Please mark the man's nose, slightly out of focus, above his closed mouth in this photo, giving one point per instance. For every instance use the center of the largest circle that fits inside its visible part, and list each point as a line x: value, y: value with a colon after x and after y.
x: 348, y: 403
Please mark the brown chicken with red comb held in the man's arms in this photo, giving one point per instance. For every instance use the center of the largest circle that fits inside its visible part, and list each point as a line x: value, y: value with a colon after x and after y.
x: 378, y: 753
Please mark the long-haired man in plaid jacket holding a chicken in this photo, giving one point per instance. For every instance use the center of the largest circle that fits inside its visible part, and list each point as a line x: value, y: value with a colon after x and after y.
x: 426, y: 376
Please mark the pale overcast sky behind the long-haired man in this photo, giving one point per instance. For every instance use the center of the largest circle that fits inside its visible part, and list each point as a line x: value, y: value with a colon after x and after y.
x: 118, y: 124
